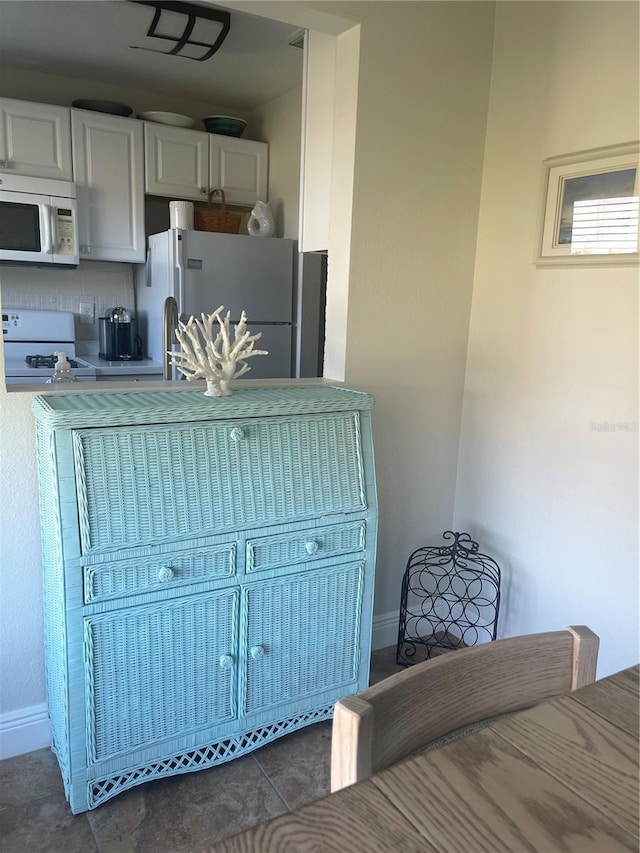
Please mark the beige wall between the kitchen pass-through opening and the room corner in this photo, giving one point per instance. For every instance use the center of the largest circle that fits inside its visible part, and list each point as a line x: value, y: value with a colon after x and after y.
x: 421, y: 111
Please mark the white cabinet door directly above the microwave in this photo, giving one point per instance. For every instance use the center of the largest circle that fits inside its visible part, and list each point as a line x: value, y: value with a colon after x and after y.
x: 35, y: 139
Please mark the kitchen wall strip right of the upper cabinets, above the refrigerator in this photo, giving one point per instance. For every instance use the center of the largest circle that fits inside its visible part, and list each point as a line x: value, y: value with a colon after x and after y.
x: 279, y: 123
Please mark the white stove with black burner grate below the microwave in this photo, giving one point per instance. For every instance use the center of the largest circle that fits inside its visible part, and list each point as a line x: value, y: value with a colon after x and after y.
x: 31, y: 339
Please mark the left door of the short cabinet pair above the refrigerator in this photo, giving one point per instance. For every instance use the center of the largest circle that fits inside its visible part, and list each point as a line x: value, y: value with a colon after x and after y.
x: 176, y: 161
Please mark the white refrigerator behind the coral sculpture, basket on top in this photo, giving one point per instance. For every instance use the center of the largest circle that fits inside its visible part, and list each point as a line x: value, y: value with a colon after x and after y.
x: 203, y: 270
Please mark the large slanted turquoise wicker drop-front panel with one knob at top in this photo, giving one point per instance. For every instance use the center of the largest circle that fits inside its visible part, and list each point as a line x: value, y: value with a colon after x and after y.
x: 139, y: 484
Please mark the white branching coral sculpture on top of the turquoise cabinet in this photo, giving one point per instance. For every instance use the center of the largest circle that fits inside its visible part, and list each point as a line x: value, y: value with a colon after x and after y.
x: 217, y: 360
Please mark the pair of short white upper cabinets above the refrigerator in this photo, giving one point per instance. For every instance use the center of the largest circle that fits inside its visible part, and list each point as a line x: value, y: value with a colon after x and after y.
x: 181, y: 163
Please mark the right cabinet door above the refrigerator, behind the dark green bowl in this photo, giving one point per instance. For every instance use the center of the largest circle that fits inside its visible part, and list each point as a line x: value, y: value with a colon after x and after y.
x: 239, y: 167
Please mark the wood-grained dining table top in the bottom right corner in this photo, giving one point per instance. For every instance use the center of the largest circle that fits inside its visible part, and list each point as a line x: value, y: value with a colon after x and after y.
x: 561, y: 776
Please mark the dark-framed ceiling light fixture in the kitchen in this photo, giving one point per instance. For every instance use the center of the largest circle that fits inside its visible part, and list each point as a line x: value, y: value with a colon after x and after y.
x: 197, y: 32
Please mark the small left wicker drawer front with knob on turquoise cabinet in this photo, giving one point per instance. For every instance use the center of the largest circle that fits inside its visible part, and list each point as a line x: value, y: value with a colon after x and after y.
x: 165, y: 571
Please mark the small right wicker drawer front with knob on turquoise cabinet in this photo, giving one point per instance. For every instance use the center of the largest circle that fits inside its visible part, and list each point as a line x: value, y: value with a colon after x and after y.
x: 304, y: 546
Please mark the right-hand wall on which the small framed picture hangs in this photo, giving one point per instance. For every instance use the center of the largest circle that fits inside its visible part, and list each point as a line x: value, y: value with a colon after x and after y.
x: 553, y: 350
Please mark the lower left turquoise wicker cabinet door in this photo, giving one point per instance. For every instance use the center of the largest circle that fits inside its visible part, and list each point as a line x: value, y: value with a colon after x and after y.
x: 159, y: 670
